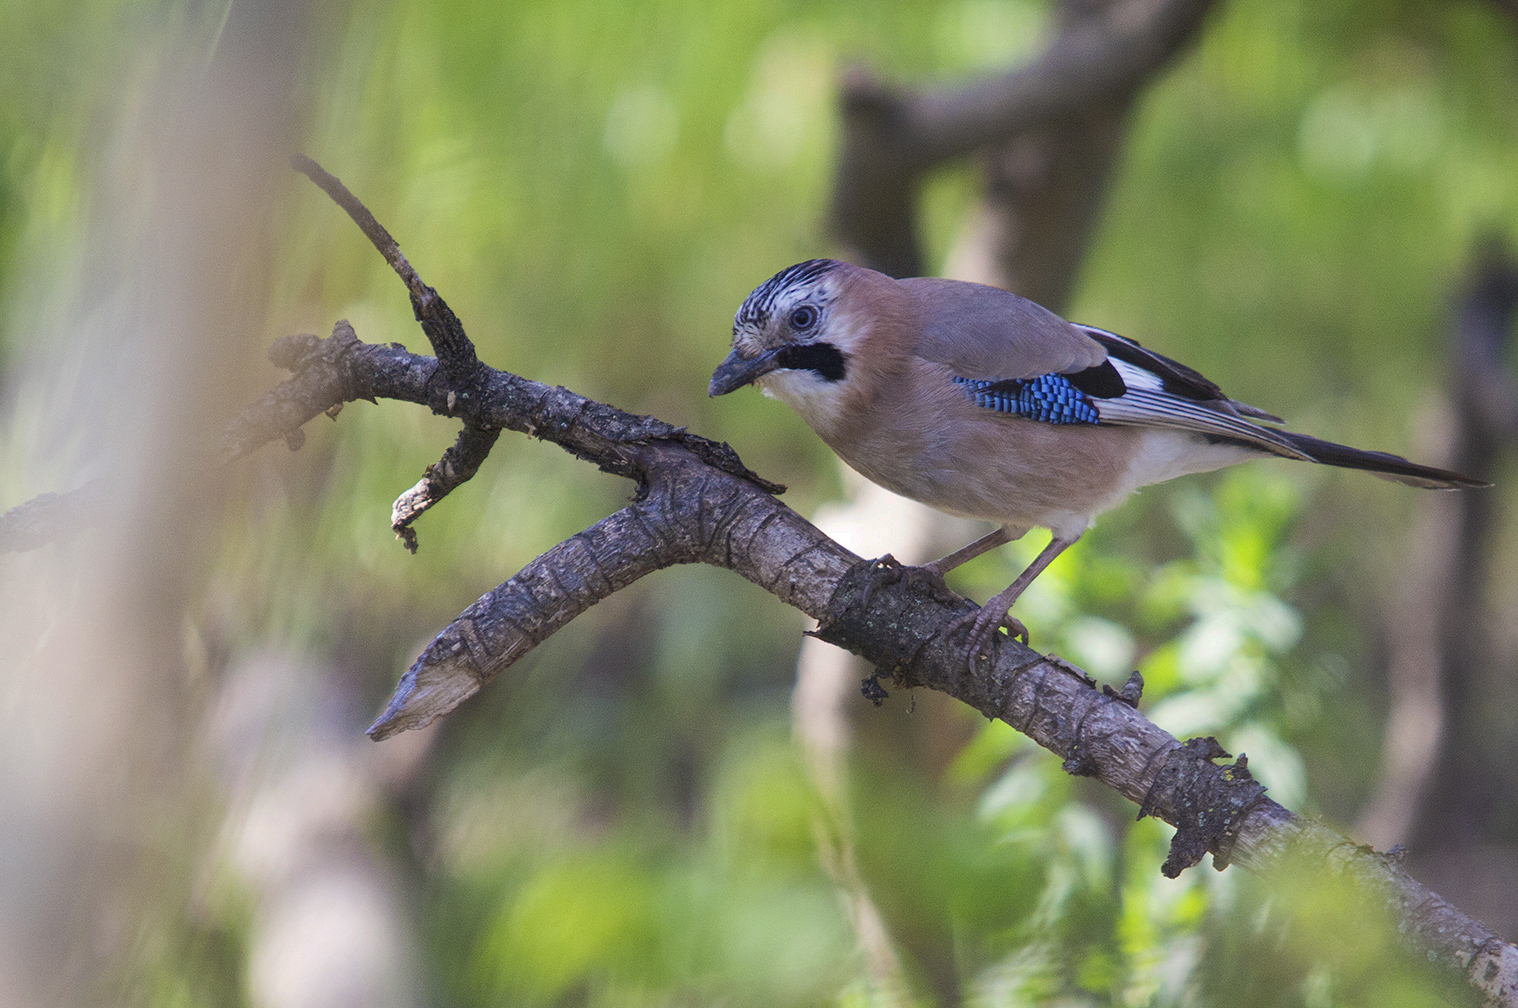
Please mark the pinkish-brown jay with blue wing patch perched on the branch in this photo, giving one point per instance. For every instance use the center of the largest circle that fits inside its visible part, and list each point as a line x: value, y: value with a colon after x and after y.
x: 987, y: 406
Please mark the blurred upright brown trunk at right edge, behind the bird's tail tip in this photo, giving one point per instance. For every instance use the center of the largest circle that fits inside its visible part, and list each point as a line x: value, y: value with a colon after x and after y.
x: 1438, y: 643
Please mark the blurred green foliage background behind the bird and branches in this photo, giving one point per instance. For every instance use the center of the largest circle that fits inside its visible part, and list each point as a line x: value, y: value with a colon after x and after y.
x: 594, y: 186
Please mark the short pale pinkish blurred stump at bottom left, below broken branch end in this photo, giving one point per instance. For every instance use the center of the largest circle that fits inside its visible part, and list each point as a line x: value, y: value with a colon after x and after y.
x: 329, y: 922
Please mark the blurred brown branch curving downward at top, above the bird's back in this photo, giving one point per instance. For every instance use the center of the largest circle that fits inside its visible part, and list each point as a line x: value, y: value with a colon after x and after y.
x: 1098, y: 61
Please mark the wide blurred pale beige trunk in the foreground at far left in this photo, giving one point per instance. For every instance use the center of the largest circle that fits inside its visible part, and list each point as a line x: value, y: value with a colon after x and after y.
x: 106, y: 804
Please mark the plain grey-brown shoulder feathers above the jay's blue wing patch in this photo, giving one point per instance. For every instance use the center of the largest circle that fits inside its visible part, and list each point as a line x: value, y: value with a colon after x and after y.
x: 987, y: 333
